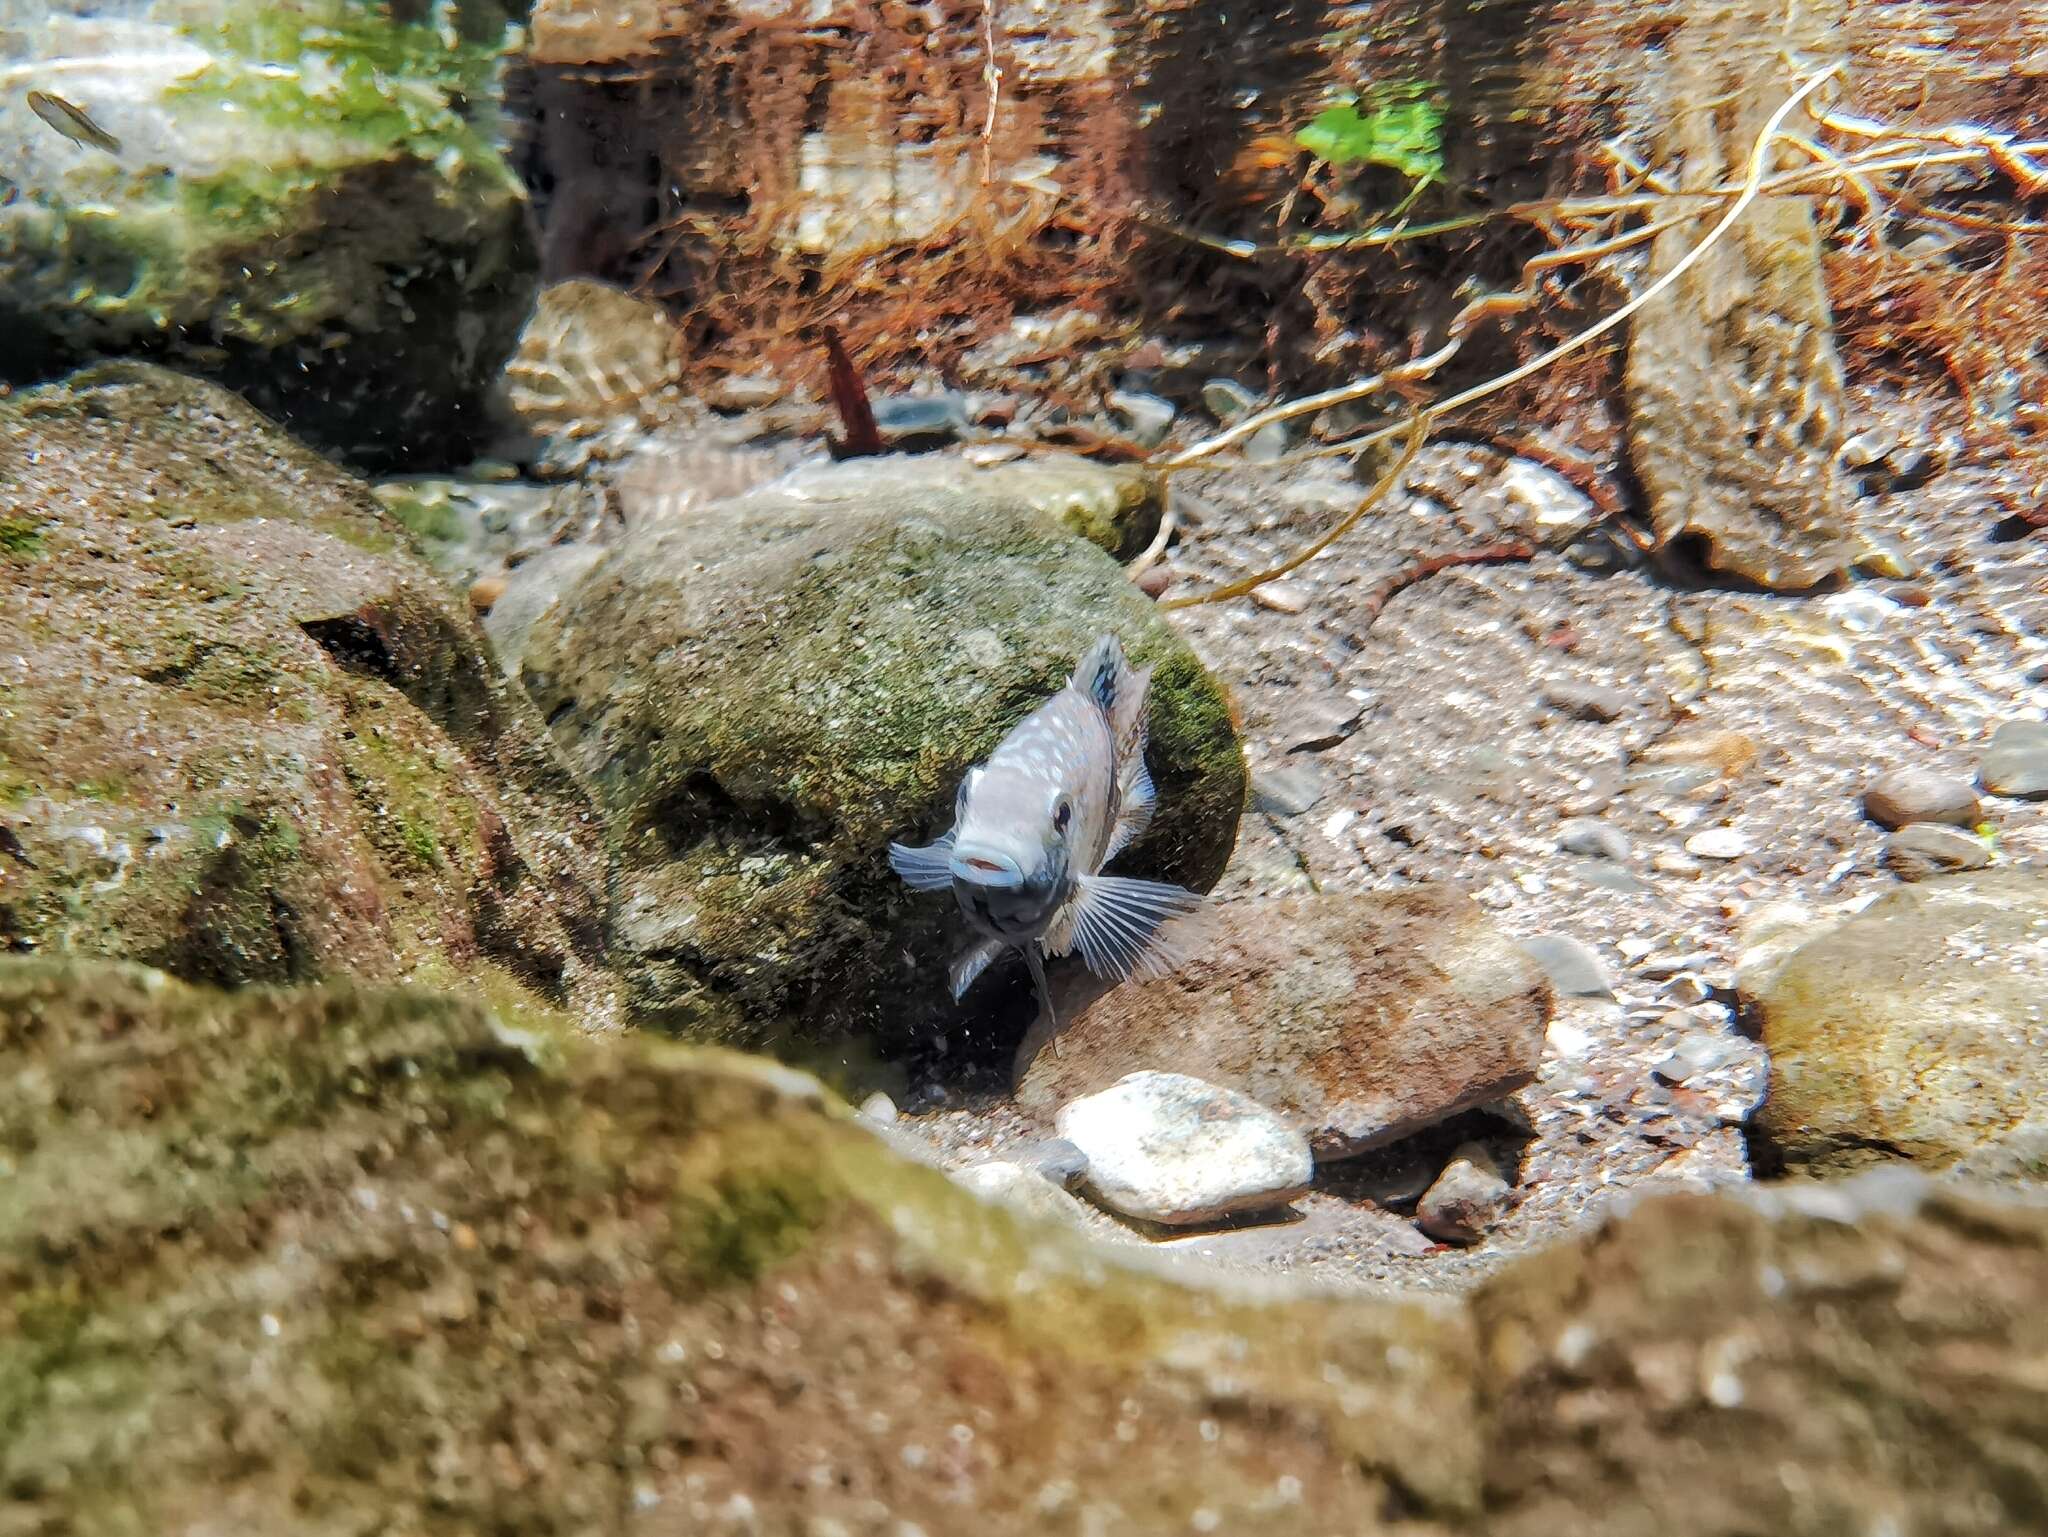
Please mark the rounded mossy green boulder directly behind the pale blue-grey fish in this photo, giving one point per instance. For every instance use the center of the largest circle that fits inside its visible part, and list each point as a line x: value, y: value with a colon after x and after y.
x: 769, y: 692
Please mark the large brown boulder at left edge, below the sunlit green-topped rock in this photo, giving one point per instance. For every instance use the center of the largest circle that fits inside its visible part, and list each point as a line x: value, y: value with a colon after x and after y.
x: 247, y: 735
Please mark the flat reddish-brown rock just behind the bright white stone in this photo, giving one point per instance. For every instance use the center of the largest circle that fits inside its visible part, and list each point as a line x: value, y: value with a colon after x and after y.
x: 1357, y: 1017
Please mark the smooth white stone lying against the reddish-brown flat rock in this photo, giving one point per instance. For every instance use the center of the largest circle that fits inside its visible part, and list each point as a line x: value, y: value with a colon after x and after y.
x: 1175, y: 1151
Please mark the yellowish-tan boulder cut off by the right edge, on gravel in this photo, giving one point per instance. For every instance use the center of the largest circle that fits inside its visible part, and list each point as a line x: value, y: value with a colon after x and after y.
x: 1916, y: 1030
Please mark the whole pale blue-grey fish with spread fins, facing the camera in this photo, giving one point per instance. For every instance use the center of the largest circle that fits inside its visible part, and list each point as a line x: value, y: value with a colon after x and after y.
x: 1062, y: 796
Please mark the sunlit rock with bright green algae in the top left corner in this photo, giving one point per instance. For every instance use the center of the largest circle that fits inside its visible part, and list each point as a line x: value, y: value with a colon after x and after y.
x: 306, y: 206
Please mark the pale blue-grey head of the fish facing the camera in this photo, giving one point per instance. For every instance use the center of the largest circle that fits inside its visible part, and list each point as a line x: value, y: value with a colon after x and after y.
x: 1013, y: 849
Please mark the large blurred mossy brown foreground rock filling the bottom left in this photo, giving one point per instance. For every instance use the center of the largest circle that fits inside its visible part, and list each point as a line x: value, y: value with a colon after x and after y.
x: 337, y: 1259
